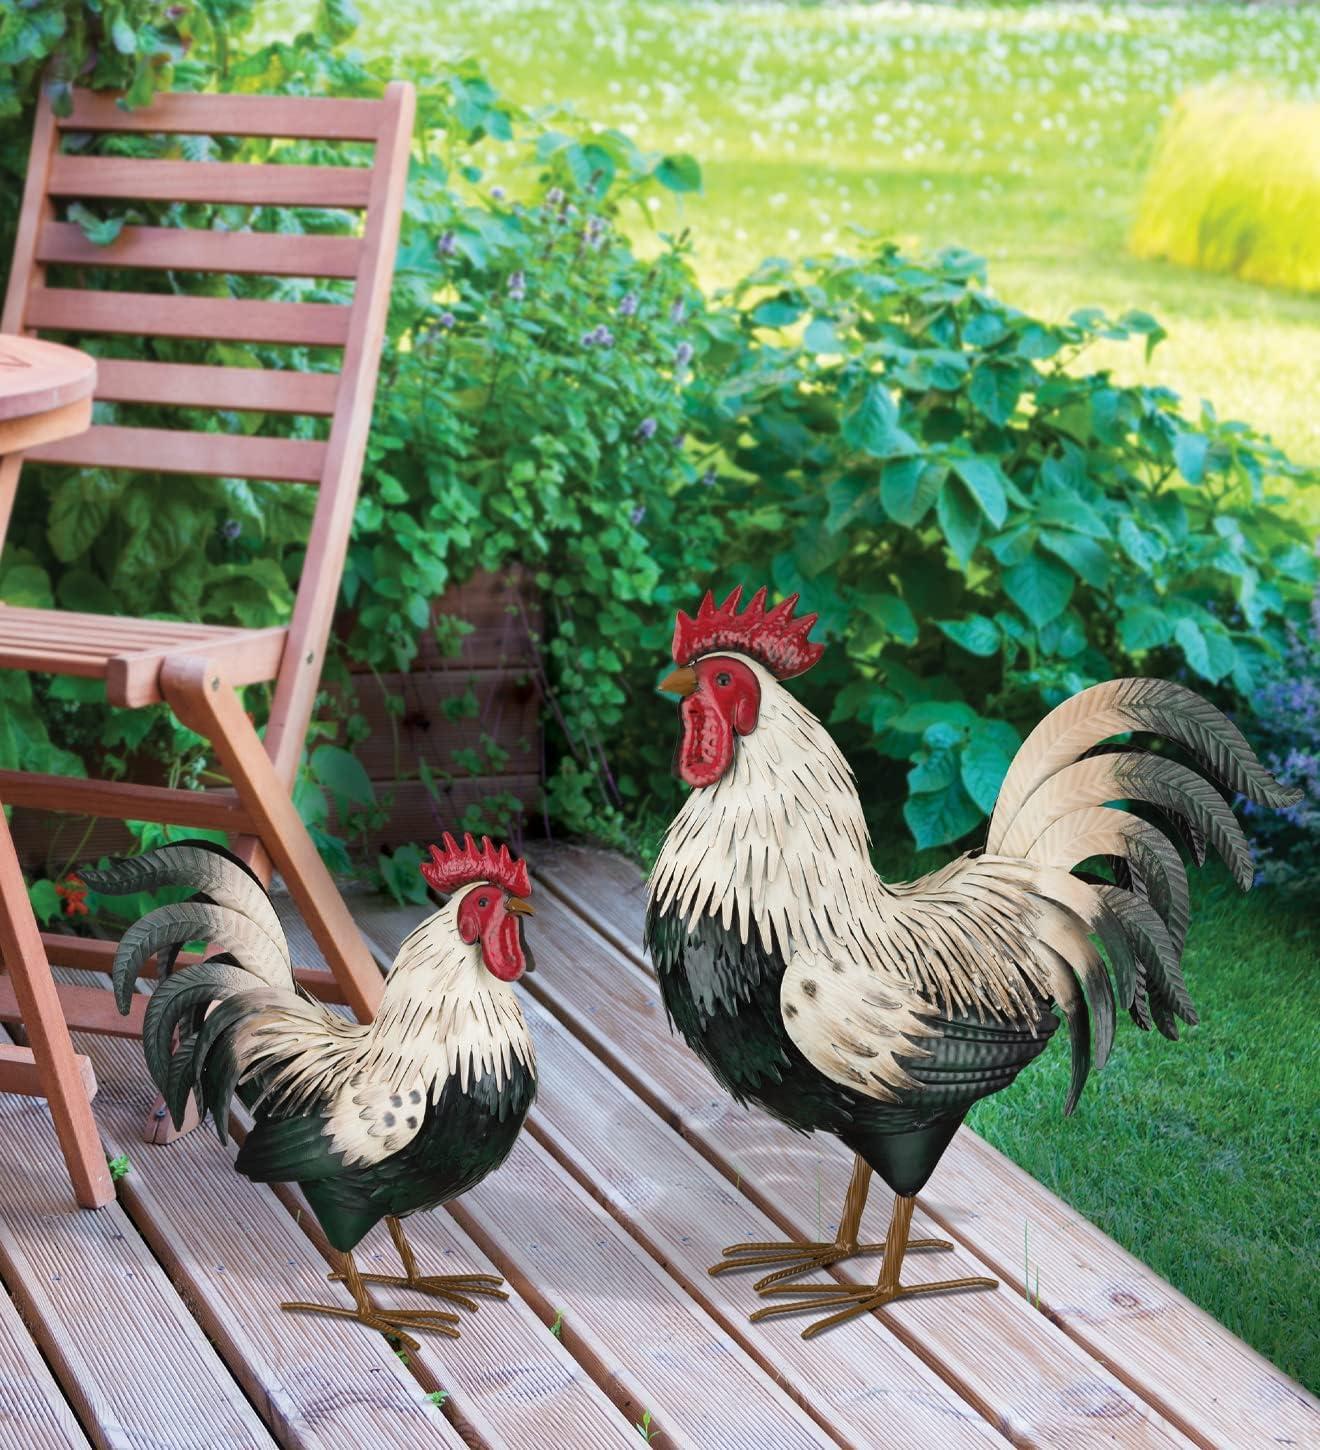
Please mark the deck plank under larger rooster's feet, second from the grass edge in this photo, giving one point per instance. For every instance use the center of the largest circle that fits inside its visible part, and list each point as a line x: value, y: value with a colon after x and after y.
x: 980, y: 1348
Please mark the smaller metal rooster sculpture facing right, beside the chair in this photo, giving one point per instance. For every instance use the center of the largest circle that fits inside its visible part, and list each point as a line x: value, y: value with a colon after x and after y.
x: 372, y: 1120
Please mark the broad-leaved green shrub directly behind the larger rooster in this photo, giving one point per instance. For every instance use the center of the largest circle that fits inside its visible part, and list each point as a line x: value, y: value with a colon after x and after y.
x: 984, y: 527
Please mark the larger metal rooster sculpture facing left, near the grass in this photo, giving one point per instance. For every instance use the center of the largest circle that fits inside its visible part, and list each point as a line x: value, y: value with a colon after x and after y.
x: 878, y: 1011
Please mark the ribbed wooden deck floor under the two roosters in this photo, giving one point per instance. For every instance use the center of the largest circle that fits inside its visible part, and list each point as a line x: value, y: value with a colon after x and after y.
x: 153, y: 1323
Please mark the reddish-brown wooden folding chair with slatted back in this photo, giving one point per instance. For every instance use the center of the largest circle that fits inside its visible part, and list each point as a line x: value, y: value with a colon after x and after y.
x: 197, y: 669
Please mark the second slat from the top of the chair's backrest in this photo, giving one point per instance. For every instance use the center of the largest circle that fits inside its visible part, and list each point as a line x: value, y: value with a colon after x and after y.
x: 227, y: 183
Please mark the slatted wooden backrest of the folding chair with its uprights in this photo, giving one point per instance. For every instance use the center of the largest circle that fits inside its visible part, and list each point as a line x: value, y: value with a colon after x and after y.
x: 44, y: 240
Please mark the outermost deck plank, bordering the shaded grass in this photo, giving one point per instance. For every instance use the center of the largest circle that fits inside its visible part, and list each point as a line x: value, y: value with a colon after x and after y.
x: 1163, y: 1346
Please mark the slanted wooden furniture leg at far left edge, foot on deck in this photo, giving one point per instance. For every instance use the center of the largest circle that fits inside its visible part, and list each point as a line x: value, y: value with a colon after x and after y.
x: 47, y: 1033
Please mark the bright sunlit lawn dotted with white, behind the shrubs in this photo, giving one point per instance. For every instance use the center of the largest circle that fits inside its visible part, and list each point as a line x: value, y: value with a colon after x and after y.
x: 1023, y: 133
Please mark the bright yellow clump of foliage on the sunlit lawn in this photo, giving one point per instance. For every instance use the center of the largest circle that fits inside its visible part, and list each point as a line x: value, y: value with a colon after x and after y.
x: 1235, y: 188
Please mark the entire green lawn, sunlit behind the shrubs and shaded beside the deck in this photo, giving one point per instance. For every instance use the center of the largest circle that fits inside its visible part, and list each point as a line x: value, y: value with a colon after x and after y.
x: 1022, y: 133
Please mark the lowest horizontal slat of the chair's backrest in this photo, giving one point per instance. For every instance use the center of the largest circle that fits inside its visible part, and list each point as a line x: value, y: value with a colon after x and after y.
x: 165, y: 450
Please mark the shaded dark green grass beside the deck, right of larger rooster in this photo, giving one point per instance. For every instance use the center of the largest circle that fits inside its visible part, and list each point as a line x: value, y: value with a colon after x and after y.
x: 1199, y: 1156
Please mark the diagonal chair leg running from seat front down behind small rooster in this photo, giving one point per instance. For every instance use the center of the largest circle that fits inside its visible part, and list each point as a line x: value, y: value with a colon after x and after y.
x: 201, y: 697
